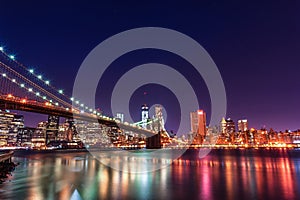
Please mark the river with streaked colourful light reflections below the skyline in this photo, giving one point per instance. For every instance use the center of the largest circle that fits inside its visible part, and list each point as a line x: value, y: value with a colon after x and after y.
x: 222, y: 174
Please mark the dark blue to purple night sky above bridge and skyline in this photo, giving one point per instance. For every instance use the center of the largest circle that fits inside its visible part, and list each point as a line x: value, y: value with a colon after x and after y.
x: 256, y: 46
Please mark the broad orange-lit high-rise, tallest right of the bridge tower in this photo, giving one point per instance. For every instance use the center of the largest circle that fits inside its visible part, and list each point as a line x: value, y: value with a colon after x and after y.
x: 198, y: 122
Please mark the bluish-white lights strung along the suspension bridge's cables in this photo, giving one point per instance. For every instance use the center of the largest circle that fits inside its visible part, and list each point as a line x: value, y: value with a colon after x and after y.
x: 46, y: 82
